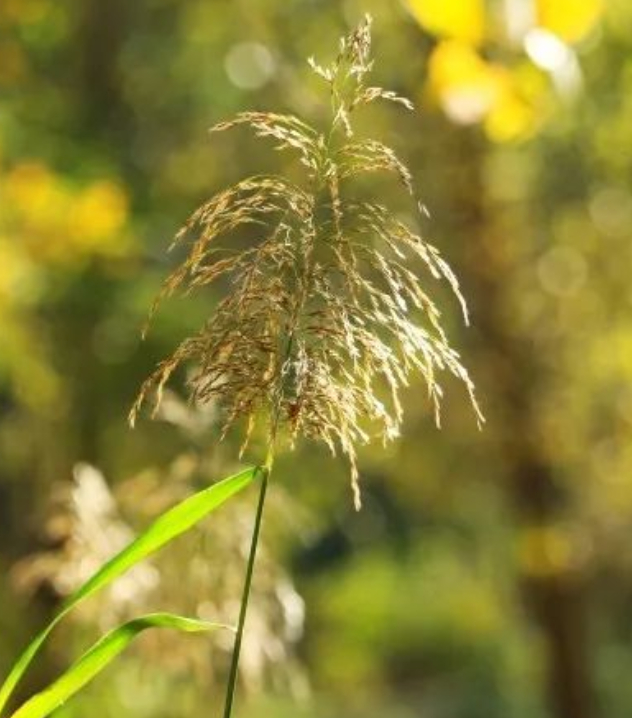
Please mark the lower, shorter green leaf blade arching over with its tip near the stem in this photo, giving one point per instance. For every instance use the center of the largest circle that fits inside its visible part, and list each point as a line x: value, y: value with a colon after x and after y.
x: 99, y: 657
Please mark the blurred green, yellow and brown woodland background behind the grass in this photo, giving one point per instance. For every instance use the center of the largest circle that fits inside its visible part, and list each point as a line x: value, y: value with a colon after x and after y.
x: 490, y: 573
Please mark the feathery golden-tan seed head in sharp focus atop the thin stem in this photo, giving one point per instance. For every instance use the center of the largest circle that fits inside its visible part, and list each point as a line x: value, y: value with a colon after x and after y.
x: 326, y: 318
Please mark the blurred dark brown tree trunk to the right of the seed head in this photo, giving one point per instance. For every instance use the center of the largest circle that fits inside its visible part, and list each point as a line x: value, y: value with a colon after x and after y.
x: 554, y: 598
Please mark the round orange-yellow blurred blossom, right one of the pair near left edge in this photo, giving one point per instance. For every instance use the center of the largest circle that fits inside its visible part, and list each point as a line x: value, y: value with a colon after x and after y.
x: 99, y: 213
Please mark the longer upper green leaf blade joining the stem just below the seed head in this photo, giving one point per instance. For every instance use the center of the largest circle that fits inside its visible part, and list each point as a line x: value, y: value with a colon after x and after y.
x: 171, y: 524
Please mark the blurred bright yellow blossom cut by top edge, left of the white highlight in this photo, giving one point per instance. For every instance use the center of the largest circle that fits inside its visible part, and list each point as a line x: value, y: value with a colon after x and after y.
x: 458, y: 19
